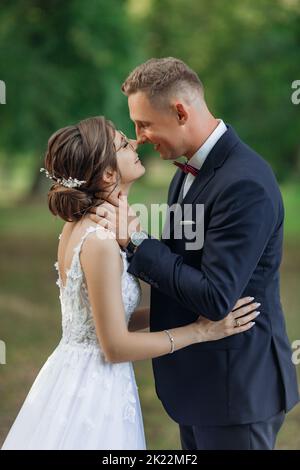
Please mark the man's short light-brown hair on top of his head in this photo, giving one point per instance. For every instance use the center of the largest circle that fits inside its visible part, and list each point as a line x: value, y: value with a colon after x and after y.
x: 163, y: 77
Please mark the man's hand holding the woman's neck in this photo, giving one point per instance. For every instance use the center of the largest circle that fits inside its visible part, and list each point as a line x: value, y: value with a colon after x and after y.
x: 117, y: 216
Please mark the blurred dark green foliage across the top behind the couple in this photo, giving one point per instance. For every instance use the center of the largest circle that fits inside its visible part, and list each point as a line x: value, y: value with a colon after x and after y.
x: 64, y: 61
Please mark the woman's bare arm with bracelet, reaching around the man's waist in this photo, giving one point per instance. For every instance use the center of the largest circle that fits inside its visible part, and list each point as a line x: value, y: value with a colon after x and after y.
x: 101, y: 263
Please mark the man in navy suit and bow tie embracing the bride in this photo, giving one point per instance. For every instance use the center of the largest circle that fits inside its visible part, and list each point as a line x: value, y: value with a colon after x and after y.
x: 232, y: 393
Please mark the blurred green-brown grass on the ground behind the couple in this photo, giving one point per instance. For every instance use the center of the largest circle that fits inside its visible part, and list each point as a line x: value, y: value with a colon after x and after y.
x: 30, y: 311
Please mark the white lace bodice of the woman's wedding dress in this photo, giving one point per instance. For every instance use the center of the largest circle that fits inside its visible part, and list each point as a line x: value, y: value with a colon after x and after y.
x: 78, y: 326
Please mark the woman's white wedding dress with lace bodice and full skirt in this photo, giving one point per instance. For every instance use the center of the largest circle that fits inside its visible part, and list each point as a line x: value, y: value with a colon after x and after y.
x: 79, y: 400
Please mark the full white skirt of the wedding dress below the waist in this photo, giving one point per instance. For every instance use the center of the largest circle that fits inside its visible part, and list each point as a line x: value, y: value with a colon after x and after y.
x: 80, y: 401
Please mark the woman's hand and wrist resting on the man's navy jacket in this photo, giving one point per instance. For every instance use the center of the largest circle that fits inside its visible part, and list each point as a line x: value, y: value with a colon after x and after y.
x: 237, y: 321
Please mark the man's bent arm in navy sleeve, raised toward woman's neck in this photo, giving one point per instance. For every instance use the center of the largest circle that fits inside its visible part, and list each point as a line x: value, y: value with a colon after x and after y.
x: 240, y: 226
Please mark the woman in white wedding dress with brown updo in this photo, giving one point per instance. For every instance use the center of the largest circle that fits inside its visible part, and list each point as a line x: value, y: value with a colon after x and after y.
x: 85, y: 396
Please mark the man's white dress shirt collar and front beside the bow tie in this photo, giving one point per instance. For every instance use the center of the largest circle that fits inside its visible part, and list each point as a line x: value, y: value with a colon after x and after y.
x: 200, y: 156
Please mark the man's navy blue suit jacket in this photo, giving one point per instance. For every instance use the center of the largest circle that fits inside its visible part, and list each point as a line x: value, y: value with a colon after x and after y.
x: 243, y: 378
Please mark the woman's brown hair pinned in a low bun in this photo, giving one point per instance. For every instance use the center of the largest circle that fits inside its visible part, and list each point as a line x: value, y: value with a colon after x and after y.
x: 82, y: 152
